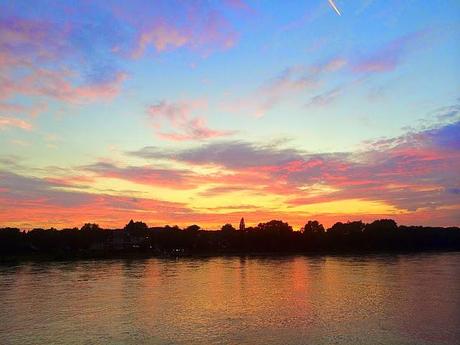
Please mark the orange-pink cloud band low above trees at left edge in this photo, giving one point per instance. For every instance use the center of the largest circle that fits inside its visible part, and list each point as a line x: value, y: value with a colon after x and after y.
x: 44, y: 203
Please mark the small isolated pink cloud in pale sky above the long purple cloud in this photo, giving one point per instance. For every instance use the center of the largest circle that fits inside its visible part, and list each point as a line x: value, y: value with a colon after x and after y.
x: 185, y: 126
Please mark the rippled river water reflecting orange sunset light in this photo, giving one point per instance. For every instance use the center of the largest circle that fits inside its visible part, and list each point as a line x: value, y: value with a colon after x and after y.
x: 388, y: 299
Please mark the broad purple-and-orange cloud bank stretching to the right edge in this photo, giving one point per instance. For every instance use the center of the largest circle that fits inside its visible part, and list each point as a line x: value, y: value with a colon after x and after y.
x: 410, y: 172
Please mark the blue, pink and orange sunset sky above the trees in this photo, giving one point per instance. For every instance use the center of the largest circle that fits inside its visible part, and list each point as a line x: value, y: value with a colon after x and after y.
x: 183, y: 112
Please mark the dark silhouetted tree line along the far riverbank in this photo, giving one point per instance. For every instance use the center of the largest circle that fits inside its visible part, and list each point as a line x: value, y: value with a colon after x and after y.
x: 274, y: 236
